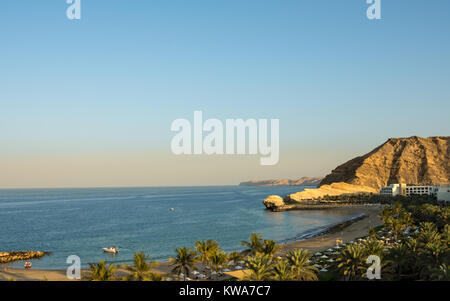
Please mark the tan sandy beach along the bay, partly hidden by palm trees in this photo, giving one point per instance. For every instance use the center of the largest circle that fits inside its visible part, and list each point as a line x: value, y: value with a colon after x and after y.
x: 319, y: 243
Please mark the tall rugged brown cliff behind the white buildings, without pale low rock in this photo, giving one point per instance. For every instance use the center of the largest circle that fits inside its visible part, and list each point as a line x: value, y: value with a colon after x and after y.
x: 413, y: 160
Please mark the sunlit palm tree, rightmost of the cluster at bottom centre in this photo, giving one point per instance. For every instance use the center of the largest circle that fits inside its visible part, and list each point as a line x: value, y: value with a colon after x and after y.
x: 299, y: 261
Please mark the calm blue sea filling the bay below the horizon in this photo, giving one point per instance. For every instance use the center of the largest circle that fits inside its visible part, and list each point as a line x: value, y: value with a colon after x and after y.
x: 83, y: 221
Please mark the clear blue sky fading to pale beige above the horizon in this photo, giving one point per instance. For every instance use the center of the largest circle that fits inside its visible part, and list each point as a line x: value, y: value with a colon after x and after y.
x: 90, y: 102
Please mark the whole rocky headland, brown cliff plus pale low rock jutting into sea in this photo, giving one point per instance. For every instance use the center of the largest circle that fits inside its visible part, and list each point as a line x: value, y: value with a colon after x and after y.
x: 413, y: 160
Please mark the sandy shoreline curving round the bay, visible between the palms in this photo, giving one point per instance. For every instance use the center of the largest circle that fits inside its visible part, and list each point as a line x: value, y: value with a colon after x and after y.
x: 362, y: 217
